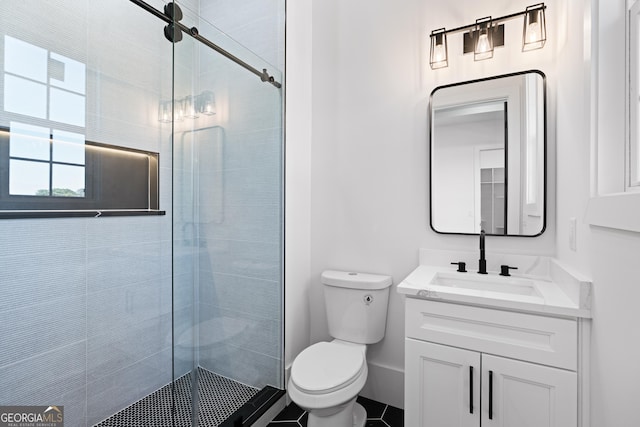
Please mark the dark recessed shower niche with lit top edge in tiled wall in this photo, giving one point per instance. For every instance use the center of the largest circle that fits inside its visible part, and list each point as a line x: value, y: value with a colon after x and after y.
x: 52, y: 170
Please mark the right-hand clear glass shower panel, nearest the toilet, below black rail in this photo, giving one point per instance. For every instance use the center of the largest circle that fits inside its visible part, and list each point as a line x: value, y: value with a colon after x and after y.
x: 227, y: 226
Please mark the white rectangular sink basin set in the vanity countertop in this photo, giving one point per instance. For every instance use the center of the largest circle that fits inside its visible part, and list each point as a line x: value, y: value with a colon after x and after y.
x: 500, y: 284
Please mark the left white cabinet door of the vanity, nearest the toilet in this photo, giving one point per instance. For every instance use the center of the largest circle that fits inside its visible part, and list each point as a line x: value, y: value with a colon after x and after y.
x: 442, y: 386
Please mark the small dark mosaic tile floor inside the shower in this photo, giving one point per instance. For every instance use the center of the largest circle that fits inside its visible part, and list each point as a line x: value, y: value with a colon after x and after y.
x: 219, y: 397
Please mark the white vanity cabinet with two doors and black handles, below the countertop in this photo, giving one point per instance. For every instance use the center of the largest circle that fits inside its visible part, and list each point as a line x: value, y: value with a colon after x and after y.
x: 469, y: 366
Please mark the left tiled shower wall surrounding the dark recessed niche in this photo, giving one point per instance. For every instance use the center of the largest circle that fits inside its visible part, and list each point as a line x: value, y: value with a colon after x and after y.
x: 85, y: 306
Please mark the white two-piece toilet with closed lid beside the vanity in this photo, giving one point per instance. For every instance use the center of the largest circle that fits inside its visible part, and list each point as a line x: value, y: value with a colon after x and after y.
x: 327, y: 376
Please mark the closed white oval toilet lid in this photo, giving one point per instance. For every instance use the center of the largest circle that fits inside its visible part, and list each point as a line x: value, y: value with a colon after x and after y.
x: 325, y: 367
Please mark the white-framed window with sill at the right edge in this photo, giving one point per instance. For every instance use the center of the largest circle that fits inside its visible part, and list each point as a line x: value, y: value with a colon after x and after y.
x: 611, y: 207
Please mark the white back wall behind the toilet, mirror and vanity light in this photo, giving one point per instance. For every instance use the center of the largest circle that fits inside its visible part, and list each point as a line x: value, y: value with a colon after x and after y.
x: 369, y: 160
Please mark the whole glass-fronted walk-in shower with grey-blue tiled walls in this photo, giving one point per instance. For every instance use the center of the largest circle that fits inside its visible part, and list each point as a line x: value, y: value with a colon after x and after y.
x: 166, y: 315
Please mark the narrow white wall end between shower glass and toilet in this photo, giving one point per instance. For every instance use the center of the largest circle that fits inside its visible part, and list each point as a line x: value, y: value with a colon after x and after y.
x: 298, y: 178
